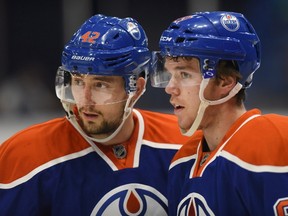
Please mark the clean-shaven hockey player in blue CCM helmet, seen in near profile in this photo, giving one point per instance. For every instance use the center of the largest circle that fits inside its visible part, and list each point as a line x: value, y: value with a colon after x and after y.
x: 237, y: 163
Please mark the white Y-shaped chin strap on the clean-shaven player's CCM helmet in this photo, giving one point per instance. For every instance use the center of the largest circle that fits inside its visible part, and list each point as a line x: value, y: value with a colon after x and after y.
x: 205, y: 103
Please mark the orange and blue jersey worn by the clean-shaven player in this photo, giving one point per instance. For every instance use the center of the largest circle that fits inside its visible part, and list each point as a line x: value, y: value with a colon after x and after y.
x: 247, y: 174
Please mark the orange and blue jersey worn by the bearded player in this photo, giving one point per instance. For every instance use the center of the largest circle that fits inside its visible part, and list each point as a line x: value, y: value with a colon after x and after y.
x: 50, y: 169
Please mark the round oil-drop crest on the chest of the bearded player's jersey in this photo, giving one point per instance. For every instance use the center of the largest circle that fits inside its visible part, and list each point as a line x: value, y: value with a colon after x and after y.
x: 132, y: 199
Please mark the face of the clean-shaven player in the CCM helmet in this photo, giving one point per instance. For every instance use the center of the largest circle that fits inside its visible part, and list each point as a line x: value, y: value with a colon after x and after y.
x: 184, y: 89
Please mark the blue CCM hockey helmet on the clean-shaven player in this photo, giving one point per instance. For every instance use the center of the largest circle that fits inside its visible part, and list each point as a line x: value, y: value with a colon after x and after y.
x: 214, y: 36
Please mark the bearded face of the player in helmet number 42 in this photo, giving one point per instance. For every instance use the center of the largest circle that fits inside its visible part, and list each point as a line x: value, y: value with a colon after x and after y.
x: 100, y: 101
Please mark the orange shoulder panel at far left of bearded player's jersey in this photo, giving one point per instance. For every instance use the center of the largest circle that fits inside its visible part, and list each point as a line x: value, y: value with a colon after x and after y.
x: 28, y: 149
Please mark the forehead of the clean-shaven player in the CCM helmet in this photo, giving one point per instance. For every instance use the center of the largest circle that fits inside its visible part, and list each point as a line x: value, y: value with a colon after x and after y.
x: 180, y: 63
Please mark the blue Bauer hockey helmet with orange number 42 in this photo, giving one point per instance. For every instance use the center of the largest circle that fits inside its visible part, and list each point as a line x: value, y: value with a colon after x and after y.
x: 108, y: 46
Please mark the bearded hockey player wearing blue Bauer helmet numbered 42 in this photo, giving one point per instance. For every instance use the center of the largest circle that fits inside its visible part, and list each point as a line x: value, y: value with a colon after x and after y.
x: 104, y: 158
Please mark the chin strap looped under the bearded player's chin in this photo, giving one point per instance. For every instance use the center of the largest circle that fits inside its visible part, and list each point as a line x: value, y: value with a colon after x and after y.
x: 73, y: 120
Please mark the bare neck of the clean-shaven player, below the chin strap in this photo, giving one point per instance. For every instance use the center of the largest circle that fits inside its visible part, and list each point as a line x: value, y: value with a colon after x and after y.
x: 218, y: 120
